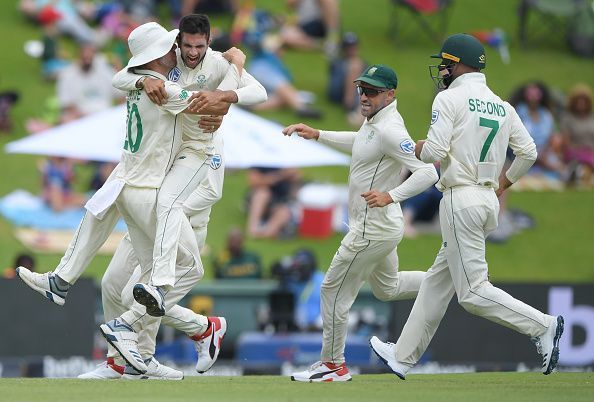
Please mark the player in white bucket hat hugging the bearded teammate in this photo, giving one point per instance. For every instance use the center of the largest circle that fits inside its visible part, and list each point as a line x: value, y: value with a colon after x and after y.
x: 152, y: 139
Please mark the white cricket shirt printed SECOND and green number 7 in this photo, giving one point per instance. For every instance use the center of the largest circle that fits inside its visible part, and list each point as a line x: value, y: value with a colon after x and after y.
x: 470, y: 130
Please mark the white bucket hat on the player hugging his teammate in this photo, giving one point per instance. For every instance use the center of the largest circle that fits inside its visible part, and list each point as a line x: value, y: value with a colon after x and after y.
x: 149, y: 42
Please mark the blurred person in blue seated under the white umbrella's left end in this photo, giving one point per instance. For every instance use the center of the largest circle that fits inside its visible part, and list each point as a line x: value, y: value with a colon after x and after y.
x: 58, y: 175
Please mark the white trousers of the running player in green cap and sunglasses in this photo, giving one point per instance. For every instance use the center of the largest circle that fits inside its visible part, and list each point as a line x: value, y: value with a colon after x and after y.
x: 356, y: 261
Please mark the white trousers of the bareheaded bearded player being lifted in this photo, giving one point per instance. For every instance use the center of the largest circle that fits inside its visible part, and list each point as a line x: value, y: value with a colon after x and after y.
x: 187, y: 171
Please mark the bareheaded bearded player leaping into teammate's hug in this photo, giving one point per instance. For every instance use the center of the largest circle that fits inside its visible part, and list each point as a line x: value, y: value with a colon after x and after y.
x: 199, y: 68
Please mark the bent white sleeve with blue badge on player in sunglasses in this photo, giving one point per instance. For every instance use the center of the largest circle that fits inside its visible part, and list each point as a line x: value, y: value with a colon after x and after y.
x: 401, y: 148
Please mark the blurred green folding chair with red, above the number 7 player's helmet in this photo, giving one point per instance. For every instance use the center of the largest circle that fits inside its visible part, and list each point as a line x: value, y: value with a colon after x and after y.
x: 431, y: 15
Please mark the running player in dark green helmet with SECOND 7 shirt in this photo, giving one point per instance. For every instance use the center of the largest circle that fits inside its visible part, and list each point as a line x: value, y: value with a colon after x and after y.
x: 471, y: 128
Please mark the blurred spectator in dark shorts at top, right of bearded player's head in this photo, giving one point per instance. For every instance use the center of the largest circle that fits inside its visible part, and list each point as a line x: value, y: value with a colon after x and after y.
x: 316, y: 27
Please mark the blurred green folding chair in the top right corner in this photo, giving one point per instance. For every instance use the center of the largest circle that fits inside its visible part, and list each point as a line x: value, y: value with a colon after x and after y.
x: 554, y: 17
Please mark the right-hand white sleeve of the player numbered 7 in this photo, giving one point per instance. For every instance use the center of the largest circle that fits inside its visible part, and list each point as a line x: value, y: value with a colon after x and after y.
x: 522, y: 145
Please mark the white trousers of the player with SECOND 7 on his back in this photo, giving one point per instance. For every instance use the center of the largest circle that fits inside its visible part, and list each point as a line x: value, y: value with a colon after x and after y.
x: 467, y: 215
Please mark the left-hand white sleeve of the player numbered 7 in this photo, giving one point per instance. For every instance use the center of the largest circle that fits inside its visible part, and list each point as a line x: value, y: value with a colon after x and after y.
x: 437, y: 145
